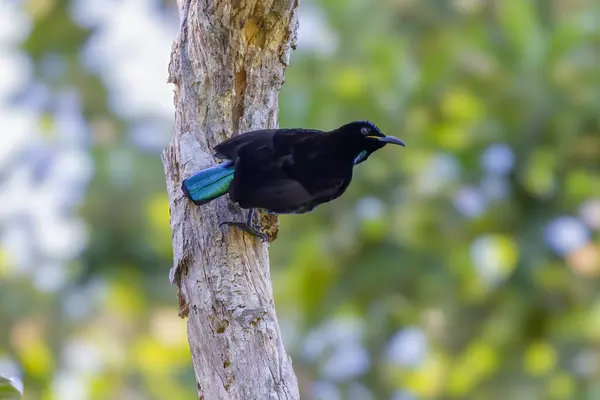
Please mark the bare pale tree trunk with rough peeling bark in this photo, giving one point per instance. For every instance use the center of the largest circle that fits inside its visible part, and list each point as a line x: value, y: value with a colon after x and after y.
x: 227, y: 66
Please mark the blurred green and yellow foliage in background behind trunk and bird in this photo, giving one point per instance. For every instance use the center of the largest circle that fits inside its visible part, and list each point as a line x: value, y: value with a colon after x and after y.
x: 447, y: 244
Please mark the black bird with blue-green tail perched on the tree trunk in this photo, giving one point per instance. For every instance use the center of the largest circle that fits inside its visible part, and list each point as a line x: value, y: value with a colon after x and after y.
x: 286, y: 171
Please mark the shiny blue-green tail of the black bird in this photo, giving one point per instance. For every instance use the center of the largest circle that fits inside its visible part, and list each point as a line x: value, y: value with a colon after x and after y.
x: 209, y: 183
